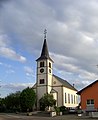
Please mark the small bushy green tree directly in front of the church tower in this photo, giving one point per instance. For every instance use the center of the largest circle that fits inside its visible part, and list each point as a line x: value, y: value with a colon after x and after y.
x: 46, y: 101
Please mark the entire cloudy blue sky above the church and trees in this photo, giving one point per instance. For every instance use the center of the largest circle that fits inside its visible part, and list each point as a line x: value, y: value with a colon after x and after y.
x: 72, y: 37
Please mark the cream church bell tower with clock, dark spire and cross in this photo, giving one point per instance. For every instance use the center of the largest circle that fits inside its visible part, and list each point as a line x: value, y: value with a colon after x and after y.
x: 44, y: 72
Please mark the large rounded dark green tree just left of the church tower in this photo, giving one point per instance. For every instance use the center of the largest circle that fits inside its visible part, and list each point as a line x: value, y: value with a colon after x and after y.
x: 27, y: 99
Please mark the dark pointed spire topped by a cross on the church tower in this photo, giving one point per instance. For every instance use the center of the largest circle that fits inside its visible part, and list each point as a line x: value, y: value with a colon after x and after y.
x: 44, y: 53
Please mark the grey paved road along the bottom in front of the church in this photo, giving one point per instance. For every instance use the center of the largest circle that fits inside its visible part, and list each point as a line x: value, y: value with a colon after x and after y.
x: 24, y: 117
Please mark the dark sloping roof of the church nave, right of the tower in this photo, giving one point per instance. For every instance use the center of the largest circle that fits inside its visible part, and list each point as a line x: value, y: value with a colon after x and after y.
x: 65, y: 83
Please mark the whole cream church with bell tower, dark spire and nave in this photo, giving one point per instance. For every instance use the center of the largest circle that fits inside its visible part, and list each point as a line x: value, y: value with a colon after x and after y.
x: 46, y: 82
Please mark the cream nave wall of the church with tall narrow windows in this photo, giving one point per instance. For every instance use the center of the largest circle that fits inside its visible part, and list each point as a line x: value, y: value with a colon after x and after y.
x: 57, y: 85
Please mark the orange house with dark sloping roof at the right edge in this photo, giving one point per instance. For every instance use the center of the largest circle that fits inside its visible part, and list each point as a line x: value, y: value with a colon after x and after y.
x: 89, y: 97
